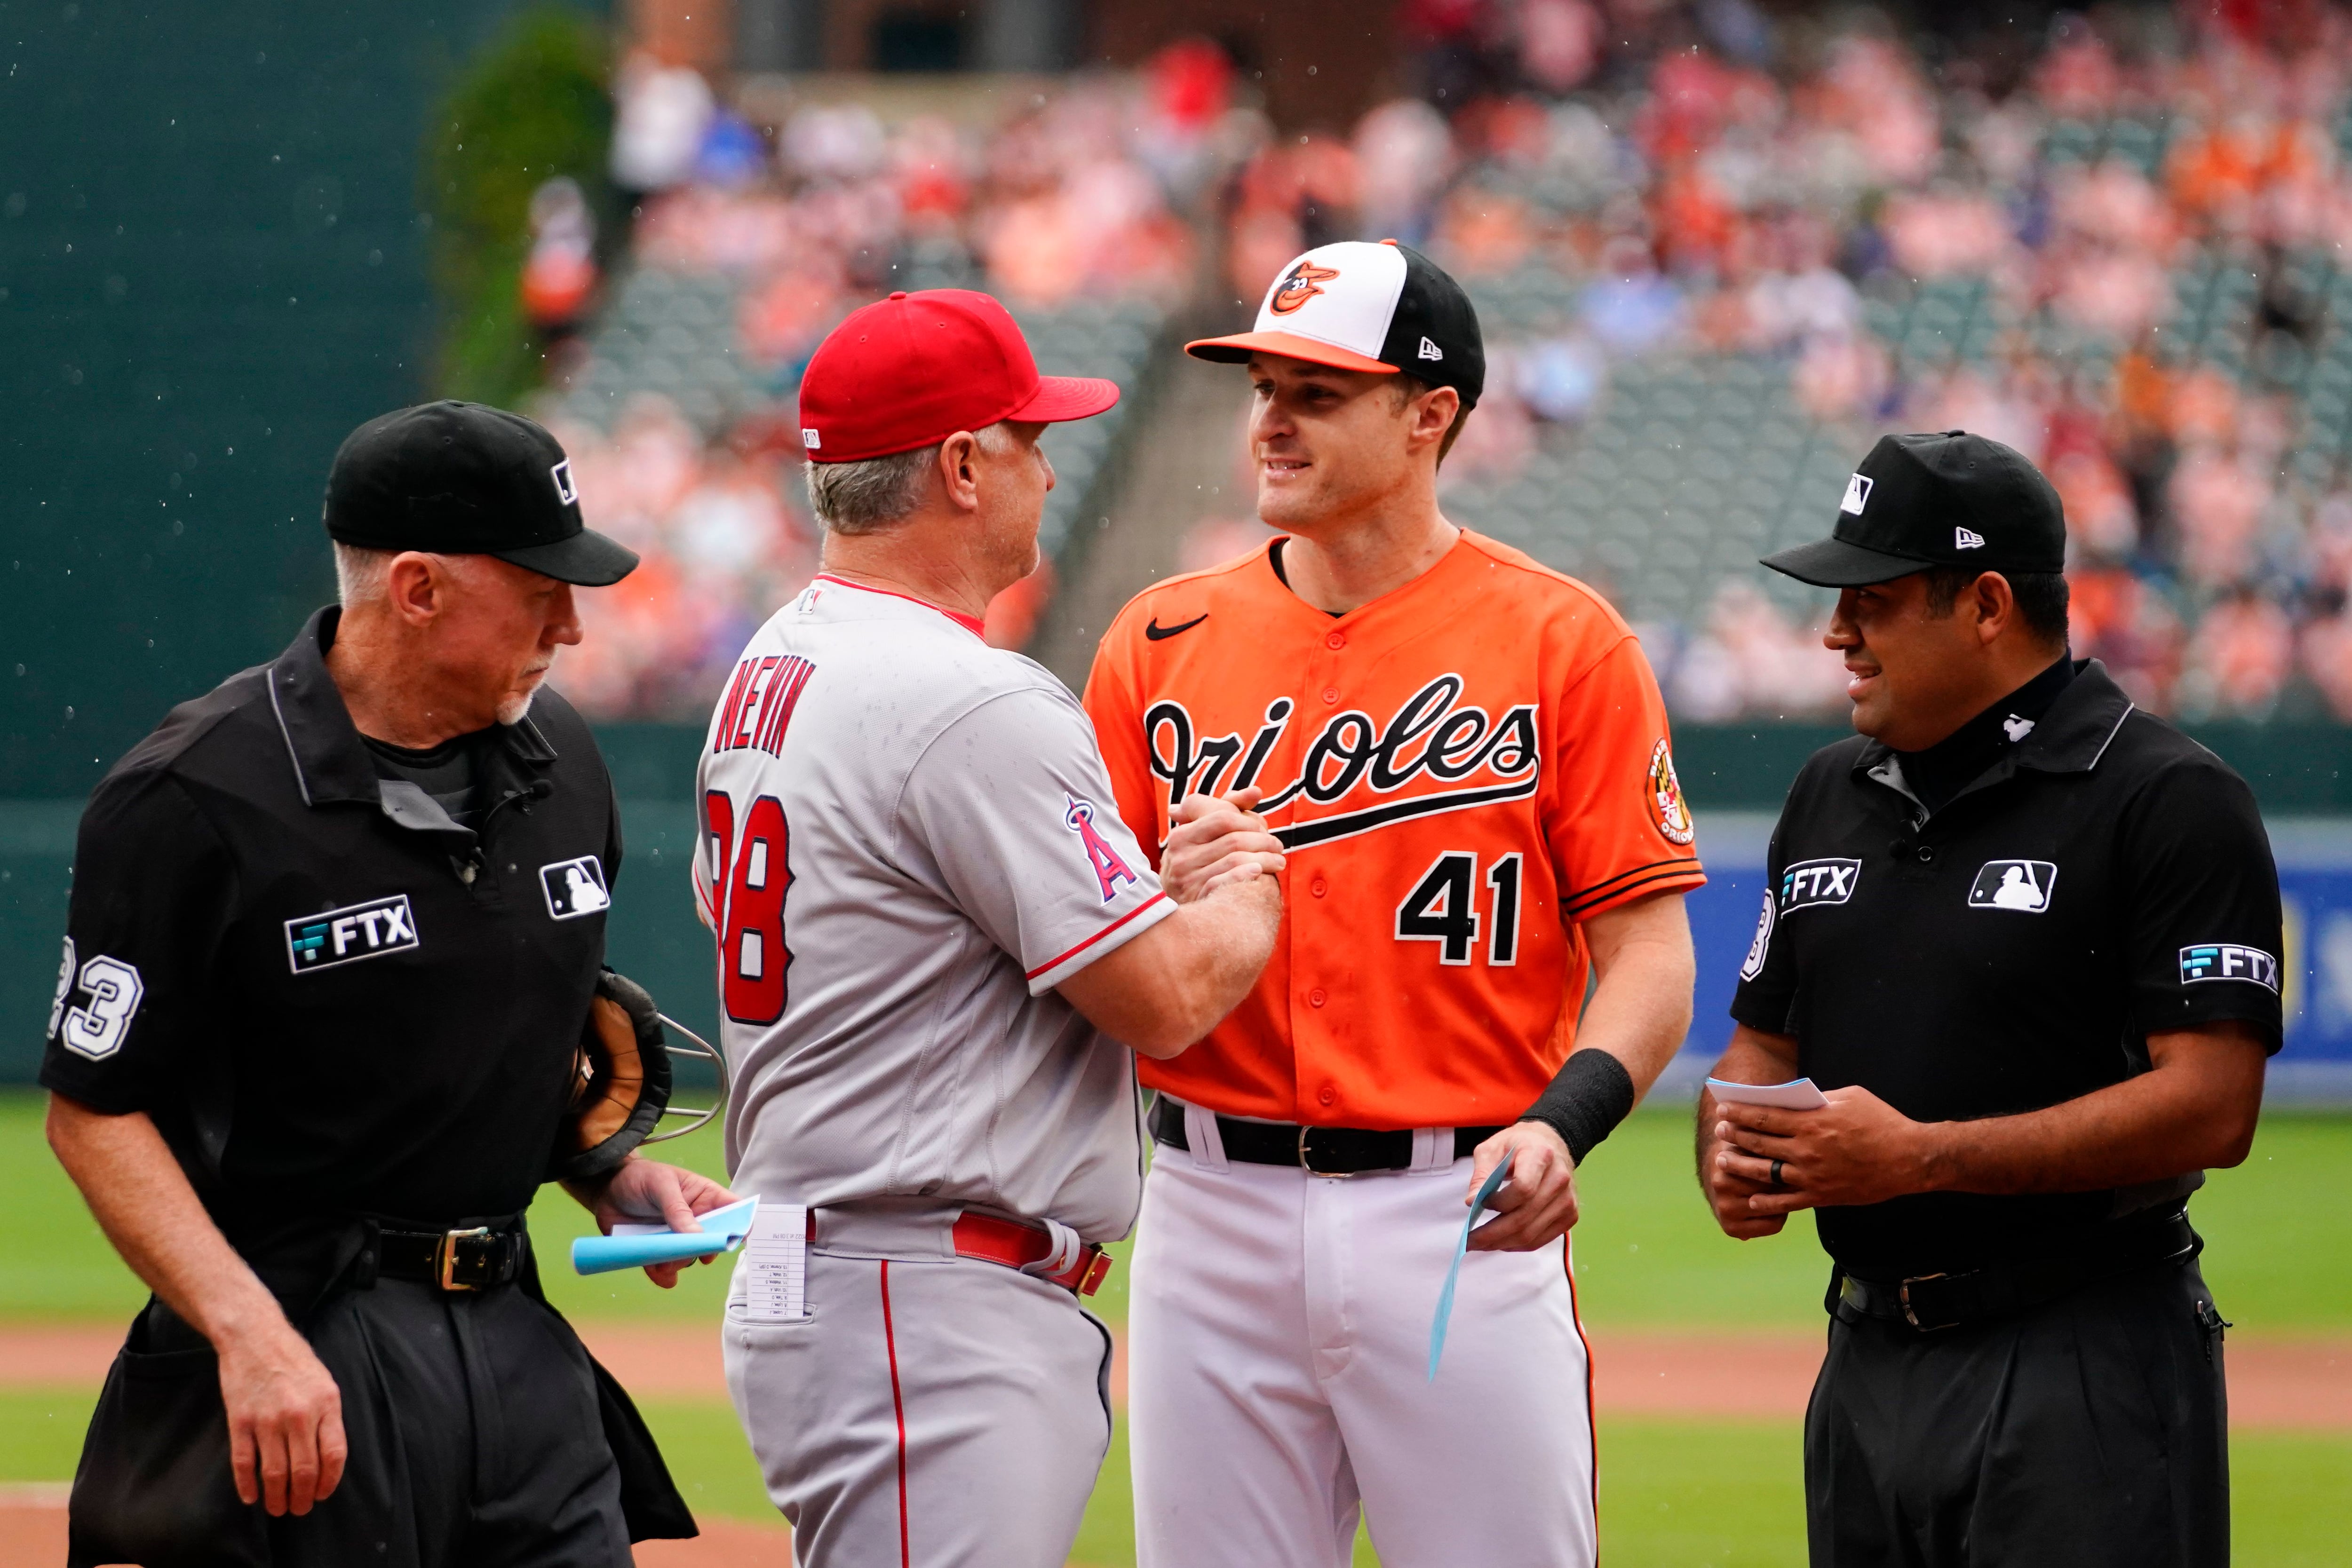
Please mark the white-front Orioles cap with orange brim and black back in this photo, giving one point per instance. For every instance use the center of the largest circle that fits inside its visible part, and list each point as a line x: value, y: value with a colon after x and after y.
x: 1365, y: 307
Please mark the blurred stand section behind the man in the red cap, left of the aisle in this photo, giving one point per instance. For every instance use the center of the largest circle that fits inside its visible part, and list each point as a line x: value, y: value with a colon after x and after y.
x: 679, y: 398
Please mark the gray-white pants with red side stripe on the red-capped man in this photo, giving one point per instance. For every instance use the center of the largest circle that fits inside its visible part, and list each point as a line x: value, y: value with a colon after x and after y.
x: 928, y: 1414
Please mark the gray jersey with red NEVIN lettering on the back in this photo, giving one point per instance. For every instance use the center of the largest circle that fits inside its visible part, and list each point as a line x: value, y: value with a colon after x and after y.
x: 907, y: 843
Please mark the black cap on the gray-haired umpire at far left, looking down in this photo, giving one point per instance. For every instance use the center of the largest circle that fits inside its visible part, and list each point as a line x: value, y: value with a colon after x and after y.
x: 460, y: 478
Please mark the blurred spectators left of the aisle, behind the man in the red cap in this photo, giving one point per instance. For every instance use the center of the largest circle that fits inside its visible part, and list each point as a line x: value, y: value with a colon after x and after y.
x: 803, y: 222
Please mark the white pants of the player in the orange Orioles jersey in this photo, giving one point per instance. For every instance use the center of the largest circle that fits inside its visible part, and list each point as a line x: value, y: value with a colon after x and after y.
x: 1278, y: 1374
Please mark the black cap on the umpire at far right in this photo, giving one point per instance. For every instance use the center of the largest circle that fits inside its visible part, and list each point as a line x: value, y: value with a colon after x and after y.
x: 1944, y: 500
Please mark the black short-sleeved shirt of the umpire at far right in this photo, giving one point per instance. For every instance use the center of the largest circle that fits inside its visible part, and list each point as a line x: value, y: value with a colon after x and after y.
x: 2102, y: 883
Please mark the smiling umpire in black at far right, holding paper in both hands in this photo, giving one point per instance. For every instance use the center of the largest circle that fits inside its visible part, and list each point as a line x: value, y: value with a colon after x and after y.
x: 2026, y: 937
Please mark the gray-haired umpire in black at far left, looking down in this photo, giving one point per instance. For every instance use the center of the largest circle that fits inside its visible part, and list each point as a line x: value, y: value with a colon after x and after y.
x: 330, y: 953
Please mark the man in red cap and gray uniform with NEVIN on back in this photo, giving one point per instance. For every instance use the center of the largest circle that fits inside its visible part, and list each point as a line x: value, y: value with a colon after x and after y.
x: 935, y: 937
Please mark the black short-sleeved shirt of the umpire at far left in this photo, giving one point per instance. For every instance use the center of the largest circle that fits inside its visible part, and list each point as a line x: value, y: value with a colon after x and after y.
x: 333, y: 998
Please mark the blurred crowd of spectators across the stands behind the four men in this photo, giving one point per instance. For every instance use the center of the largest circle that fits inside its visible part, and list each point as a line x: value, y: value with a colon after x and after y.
x: 2120, y: 253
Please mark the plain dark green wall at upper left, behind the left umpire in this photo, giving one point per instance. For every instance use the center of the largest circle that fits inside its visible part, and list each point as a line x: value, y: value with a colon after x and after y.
x: 211, y: 272
